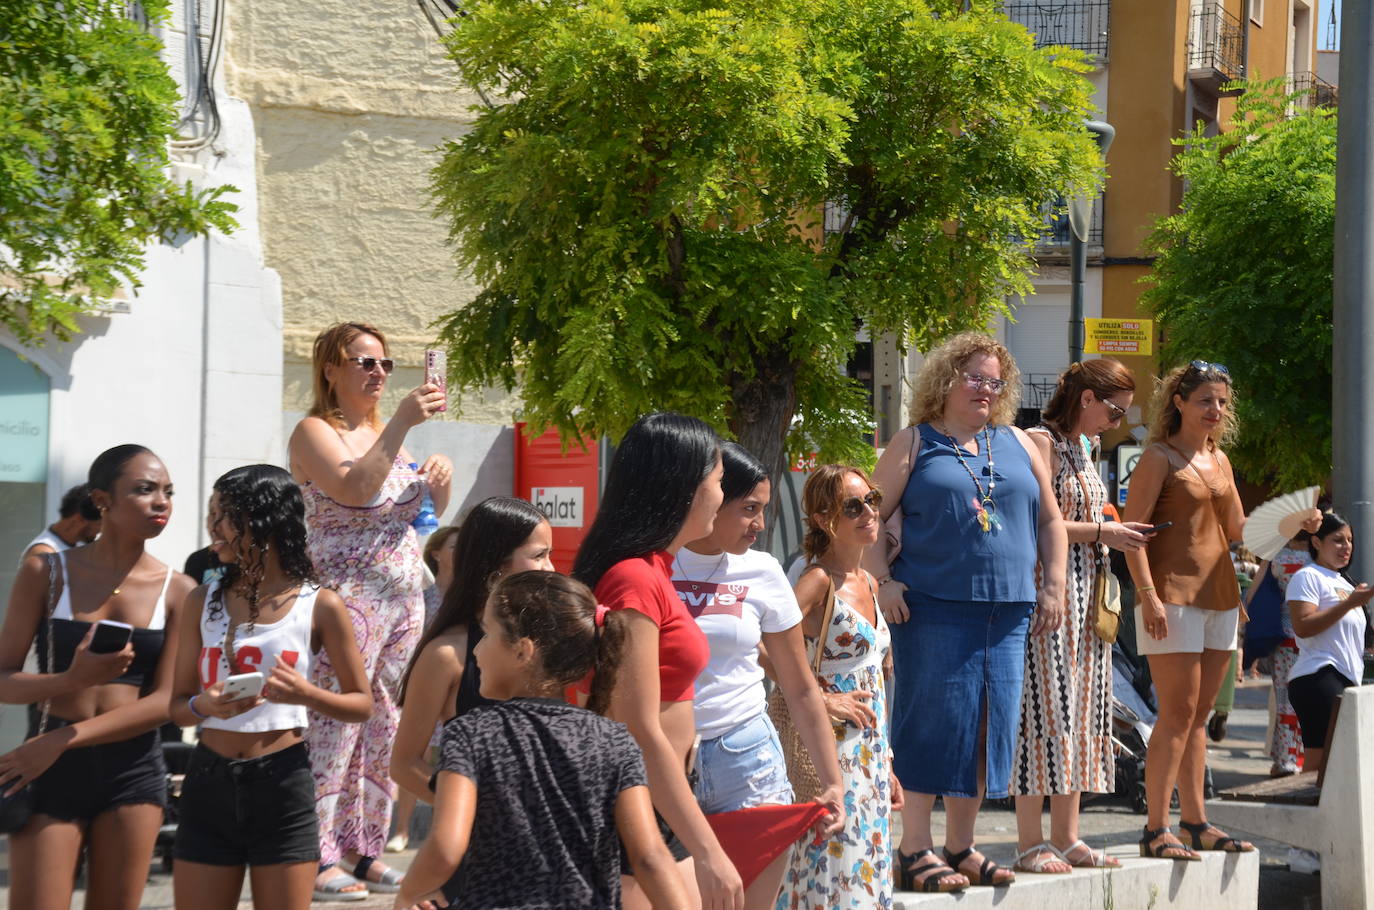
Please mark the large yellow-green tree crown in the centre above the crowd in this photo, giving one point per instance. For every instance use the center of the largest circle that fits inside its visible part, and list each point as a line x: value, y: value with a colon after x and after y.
x: 642, y: 203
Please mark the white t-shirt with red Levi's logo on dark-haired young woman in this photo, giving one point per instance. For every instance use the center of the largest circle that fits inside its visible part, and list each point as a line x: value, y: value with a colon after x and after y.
x: 734, y: 601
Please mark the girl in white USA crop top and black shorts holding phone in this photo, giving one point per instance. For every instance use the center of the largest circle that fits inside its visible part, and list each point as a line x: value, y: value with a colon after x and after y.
x: 243, y: 674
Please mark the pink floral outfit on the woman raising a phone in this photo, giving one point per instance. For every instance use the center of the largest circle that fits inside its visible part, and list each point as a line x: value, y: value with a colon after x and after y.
x: 372, y: 557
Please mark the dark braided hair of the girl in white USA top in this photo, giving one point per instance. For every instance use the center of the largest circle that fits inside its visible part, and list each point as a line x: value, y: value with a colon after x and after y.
x: 263, y: 504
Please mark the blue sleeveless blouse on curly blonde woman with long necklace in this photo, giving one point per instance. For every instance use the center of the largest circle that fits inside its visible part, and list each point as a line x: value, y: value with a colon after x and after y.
x: 945, y: 555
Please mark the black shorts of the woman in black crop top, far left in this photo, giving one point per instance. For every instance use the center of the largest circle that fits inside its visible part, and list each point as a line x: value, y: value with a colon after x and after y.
x: 97, y: 779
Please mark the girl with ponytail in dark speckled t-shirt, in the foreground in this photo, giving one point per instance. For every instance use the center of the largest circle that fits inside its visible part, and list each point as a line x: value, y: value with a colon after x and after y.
x: 534, y: 797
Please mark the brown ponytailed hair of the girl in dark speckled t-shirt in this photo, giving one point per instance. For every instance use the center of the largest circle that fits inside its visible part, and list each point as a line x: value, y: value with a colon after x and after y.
x: 559, y: 615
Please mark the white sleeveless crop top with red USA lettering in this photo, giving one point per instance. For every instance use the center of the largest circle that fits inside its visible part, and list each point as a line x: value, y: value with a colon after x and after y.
x: 258, y: 651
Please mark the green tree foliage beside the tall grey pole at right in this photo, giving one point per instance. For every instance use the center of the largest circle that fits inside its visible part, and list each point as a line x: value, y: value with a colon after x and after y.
x: 1244, y: 278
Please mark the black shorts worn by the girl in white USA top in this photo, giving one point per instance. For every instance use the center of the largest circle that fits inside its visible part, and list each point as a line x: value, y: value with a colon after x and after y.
x: 248, y: 812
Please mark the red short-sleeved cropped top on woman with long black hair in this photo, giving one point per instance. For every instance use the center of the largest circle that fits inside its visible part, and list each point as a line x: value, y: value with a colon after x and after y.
x: 645, y: 585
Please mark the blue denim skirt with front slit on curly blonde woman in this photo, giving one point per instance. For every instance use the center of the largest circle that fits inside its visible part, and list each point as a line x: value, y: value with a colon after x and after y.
x: 953, y: 663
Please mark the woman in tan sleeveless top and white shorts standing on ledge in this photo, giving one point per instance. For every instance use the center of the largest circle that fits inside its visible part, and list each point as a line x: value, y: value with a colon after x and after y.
x: 1188, y: 601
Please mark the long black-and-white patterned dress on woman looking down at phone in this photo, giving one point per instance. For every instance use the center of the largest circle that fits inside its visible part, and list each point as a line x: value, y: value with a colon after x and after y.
x: 1064, y: 743
